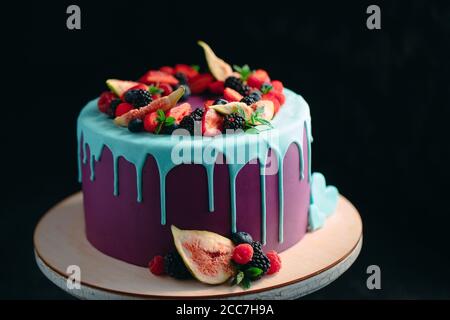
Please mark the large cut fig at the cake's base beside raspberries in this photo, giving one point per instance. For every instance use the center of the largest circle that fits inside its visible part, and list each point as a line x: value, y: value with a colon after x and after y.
x: 207, y: 255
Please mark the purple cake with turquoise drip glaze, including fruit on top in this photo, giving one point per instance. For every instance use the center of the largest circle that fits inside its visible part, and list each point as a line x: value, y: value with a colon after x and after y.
x: 223, y: 151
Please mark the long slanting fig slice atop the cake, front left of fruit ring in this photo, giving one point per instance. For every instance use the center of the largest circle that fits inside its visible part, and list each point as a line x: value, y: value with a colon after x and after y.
x: 164, y: 103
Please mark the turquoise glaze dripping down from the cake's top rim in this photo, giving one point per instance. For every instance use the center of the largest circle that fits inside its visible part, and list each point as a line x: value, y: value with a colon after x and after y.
x: 96, y: 130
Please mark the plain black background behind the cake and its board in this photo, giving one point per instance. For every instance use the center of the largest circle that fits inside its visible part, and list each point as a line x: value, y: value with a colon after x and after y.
x: 379, y: 103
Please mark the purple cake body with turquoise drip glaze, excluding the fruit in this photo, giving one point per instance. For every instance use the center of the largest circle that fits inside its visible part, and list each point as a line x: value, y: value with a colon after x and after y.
x: 135, y: 186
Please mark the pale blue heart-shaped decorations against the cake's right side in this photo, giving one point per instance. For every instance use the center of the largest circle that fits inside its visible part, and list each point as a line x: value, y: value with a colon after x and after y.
x: 323, y: 201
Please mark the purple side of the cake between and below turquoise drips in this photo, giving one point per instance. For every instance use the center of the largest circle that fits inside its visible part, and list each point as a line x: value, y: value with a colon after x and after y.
x: 125, y: 229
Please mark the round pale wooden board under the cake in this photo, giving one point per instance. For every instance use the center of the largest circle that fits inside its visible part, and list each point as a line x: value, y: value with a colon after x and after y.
x: 317, y: 260
